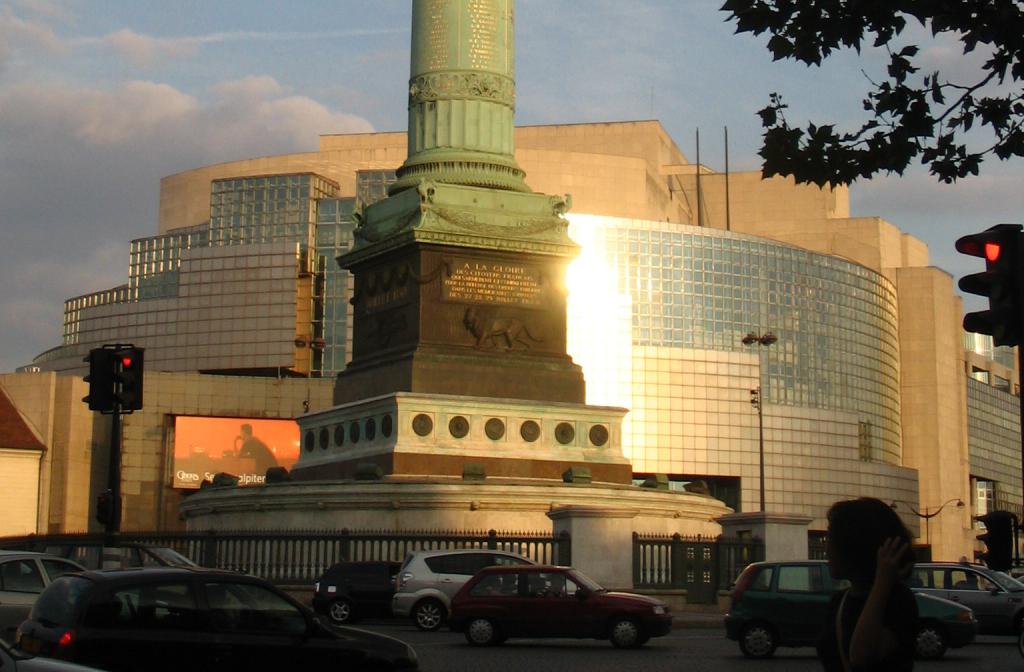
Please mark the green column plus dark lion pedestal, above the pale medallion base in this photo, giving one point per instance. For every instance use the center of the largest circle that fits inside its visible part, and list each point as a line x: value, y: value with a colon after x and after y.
x: 460, y: 273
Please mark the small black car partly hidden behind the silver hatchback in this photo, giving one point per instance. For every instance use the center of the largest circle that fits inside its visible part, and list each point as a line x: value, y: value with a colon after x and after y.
x: 352, y: 591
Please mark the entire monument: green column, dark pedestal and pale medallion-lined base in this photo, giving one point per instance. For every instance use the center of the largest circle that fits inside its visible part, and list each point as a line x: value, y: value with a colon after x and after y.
x: 459, y: 309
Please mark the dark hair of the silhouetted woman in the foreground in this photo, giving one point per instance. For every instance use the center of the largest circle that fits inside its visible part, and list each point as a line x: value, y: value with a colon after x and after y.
x: 858, y: 528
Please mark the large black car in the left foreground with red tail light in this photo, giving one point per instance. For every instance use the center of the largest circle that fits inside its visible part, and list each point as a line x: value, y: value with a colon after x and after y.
x: 194, y: 619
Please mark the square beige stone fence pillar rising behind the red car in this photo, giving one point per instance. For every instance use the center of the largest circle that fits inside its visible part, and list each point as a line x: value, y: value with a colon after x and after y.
x: 603, y: 541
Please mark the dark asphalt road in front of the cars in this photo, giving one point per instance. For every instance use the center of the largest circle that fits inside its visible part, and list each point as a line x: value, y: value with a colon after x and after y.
x: 699, y: 650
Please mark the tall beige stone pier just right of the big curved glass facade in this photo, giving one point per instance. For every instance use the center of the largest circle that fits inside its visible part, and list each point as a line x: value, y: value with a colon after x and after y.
x: 934, y: 397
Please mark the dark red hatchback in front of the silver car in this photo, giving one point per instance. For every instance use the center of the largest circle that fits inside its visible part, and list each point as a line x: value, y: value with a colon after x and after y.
x: 552, y: 602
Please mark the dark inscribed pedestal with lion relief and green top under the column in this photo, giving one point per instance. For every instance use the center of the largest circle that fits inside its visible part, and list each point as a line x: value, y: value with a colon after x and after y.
x: 461, y: 290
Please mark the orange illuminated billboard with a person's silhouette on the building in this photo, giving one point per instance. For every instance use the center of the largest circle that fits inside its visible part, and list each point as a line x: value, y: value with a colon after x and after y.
x: 243, y: 447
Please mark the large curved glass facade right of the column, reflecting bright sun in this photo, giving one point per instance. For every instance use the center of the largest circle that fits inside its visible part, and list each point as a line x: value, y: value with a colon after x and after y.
x: 692, y: 289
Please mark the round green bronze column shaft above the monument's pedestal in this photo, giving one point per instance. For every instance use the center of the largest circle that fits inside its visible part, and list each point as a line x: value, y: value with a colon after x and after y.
x: 462, y: 96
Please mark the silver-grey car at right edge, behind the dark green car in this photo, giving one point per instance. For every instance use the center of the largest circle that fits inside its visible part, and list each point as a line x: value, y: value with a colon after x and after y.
x: 998, y: 600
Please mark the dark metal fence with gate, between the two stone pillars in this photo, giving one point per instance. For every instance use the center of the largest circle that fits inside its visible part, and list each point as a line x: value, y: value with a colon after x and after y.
x: 702, y: 566
